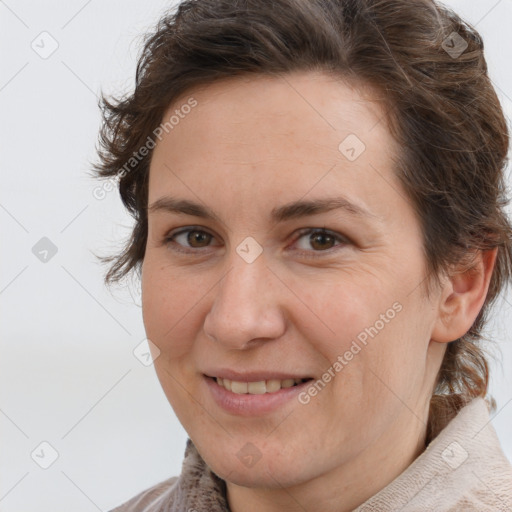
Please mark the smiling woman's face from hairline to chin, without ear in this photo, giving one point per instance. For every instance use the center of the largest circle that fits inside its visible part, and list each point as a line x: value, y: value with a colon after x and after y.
x: 281, y: 246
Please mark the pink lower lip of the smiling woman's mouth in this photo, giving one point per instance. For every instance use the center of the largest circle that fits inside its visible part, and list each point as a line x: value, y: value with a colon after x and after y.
x: 252, y: 405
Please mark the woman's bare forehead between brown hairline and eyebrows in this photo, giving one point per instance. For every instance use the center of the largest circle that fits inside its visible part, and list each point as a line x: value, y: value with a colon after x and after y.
x: 286, y: 132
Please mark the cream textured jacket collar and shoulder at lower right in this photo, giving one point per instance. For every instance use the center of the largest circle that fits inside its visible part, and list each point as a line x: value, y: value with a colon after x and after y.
x: 463, y: 469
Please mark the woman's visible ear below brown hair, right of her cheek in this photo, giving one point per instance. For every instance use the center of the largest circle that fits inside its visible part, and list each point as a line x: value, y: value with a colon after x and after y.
x: 462, y: 297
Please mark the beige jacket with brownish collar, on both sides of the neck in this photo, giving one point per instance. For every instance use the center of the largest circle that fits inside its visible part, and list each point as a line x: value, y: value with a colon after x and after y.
x: 462, y: 470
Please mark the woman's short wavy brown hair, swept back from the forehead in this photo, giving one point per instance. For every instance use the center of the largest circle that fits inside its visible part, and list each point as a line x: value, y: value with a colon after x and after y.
x: 441, y: 108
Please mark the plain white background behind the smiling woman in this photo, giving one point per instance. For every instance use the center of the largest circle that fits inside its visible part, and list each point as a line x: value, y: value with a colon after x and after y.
x: 67, y: 372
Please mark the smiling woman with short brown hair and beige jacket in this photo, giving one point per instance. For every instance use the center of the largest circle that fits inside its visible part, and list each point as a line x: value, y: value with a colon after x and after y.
x: 318, y: 196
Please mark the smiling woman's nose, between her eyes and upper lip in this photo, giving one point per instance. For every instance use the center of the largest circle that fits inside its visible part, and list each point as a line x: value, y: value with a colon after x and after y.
x: 247, y: 306
